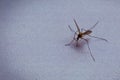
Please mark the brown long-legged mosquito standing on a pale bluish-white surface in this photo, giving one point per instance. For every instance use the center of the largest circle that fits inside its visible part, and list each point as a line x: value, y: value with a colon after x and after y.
x: 80, y: 33
